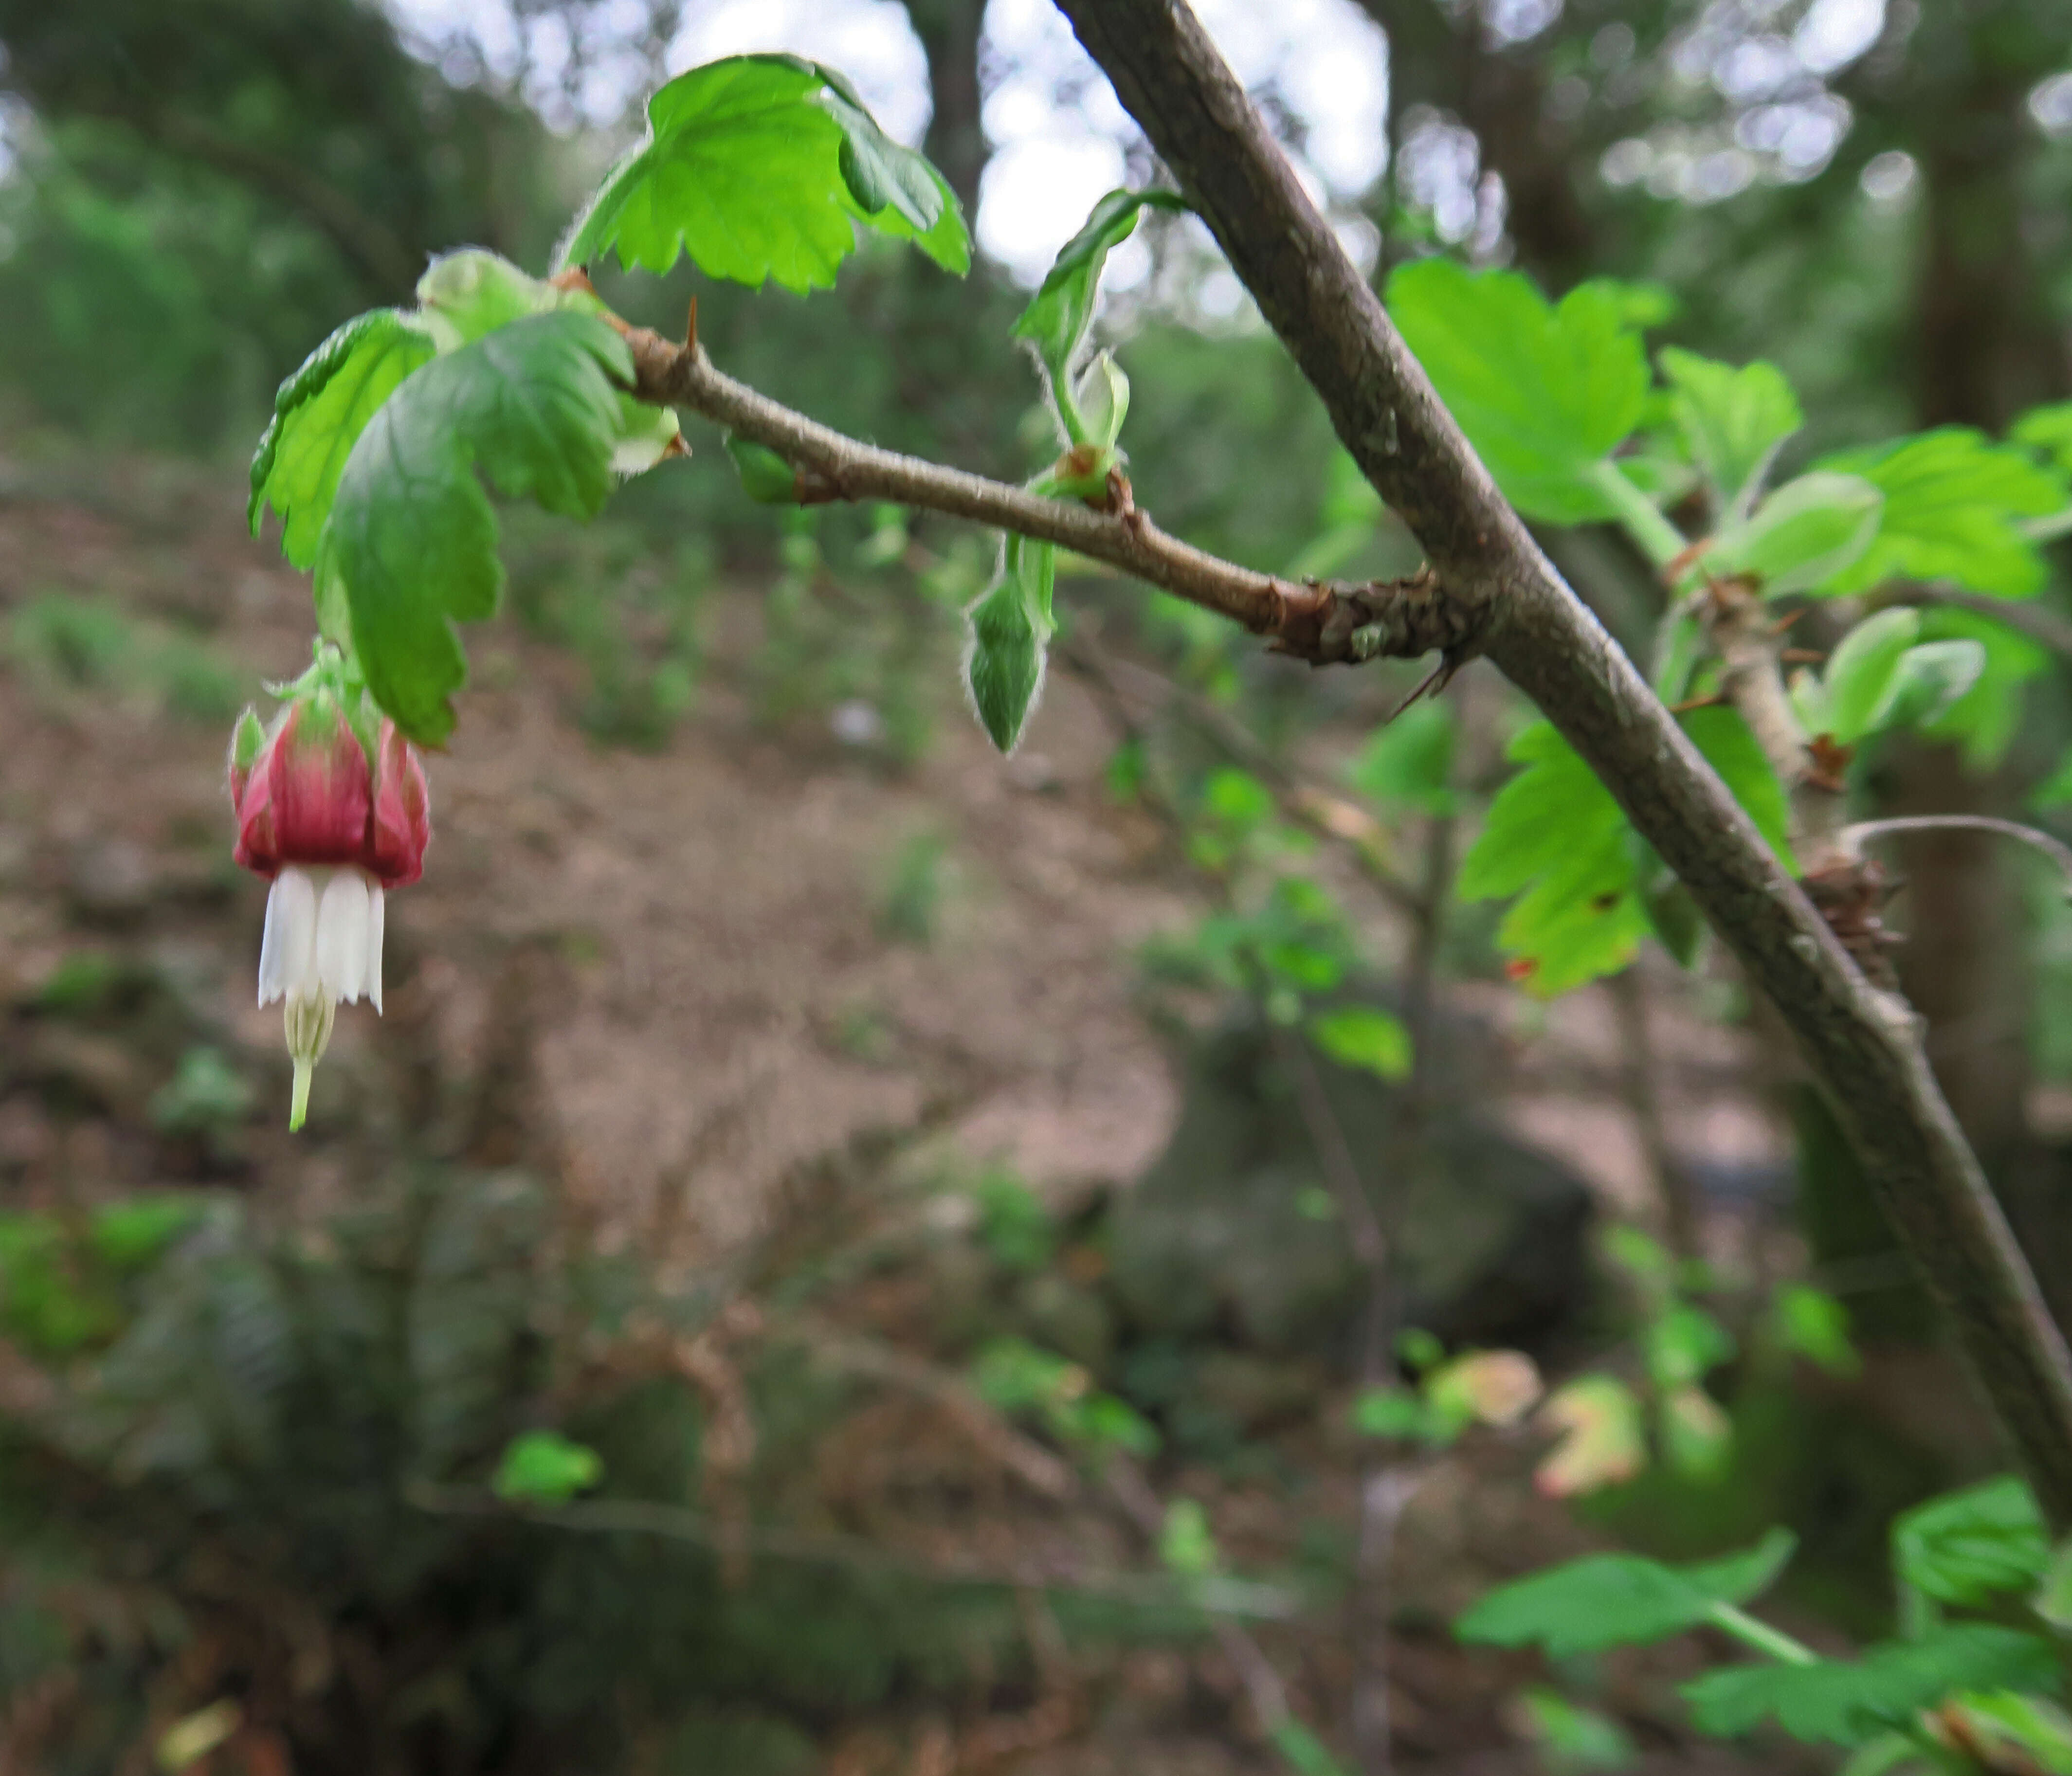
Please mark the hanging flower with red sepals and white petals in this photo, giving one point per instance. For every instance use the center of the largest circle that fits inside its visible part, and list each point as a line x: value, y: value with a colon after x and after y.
x: 335, y: 811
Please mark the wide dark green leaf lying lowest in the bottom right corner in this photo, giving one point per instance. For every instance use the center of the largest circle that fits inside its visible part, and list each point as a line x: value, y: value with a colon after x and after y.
x: 1845, y: 1702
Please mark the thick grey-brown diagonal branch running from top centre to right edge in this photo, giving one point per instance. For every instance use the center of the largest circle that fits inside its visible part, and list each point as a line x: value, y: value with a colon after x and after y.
x: 1860, y: 1043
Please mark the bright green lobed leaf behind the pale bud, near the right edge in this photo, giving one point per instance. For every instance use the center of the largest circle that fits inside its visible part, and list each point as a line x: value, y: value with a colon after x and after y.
x: 1955, y: 509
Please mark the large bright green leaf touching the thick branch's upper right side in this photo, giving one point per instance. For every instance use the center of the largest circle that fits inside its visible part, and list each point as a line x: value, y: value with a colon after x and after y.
x: 1543, y: 393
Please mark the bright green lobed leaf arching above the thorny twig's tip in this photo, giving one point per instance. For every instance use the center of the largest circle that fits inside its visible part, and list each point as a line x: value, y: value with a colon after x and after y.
x: 759, y: 167
